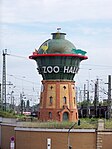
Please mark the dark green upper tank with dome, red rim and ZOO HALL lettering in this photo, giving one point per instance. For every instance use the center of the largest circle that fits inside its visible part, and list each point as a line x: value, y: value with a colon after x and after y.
x: 58, y: 58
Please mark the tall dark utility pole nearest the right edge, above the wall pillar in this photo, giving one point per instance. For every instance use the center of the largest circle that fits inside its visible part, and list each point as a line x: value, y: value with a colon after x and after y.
x: 109, y: 97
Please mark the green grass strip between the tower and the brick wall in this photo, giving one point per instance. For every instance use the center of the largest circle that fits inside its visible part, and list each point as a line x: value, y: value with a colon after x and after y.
x: 85, y: 123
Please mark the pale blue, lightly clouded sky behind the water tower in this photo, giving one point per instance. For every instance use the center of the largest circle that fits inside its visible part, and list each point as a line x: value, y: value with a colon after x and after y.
x: 25, y: 25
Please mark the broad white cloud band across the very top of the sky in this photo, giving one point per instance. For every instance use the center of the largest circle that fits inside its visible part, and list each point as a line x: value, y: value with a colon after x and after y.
x: 54, y: 10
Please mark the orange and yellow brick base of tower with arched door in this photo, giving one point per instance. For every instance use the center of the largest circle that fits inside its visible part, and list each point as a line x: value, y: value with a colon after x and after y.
x: 58, y: 101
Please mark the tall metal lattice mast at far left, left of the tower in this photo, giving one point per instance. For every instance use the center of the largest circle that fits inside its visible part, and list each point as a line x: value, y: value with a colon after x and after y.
x: 3, y: 103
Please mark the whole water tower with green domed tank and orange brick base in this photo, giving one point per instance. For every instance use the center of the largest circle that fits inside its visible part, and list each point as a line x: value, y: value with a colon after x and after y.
x: 58, y: 61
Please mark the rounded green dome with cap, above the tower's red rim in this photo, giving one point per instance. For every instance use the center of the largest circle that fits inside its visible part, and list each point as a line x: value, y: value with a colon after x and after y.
x: 58, y: 44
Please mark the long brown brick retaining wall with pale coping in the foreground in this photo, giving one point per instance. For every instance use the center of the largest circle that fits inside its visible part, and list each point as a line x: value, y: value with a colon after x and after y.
x: 34, y: 138
